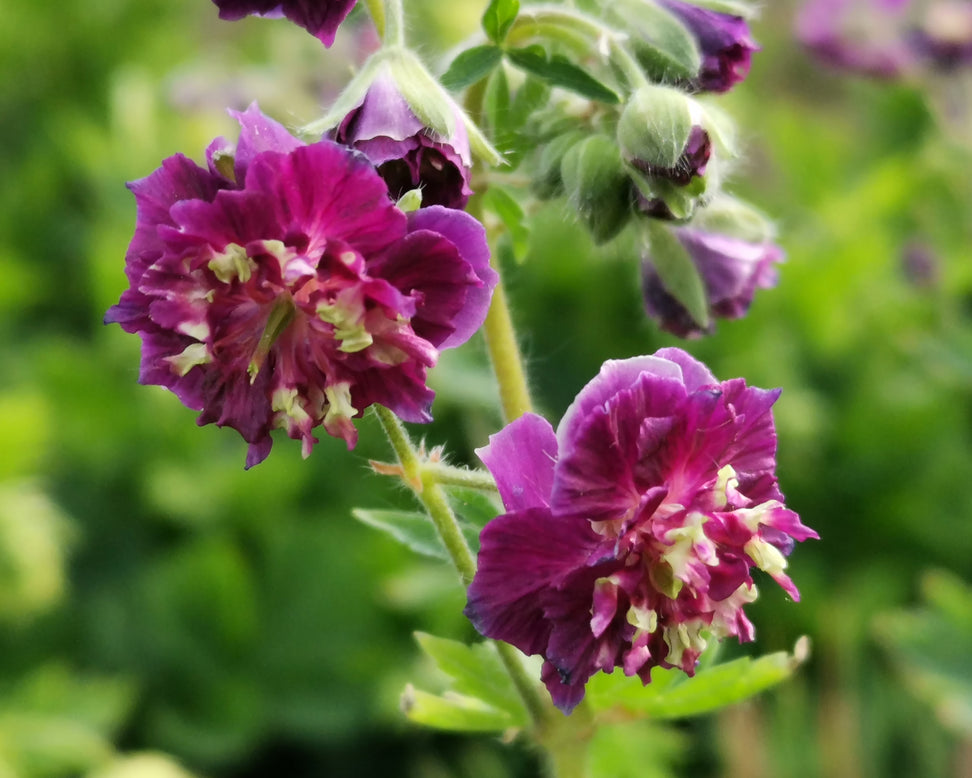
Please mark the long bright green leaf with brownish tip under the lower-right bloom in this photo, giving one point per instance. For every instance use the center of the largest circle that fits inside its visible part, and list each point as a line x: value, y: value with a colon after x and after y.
x: 710, y: 689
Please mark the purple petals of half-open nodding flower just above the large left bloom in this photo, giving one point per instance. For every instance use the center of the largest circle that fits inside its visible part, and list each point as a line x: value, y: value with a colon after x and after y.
x: 407, y: 153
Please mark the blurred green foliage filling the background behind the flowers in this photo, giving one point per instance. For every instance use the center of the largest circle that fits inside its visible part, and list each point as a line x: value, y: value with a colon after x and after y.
x: 154, y: 597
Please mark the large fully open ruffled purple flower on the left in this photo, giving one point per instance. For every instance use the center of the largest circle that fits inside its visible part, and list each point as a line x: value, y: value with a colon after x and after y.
x: 281, y: 287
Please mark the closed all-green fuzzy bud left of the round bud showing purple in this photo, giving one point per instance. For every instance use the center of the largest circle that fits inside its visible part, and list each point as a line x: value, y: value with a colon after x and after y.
x: 597, y: 186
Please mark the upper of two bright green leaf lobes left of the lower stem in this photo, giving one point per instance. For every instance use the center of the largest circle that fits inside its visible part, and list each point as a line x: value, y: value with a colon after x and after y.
x: 476, y: 672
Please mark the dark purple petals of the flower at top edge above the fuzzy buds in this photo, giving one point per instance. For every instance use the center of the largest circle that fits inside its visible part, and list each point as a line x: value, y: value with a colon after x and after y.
x: 724, y: 42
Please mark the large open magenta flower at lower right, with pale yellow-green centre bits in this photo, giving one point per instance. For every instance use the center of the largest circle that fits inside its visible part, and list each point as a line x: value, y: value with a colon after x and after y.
x: 631, y: 532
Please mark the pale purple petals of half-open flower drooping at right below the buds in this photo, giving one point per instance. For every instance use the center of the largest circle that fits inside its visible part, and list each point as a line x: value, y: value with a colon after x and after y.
x: 731, y: 269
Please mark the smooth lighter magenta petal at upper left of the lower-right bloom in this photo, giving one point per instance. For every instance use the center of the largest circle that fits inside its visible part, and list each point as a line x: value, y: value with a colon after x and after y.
x: 521, y: 458
